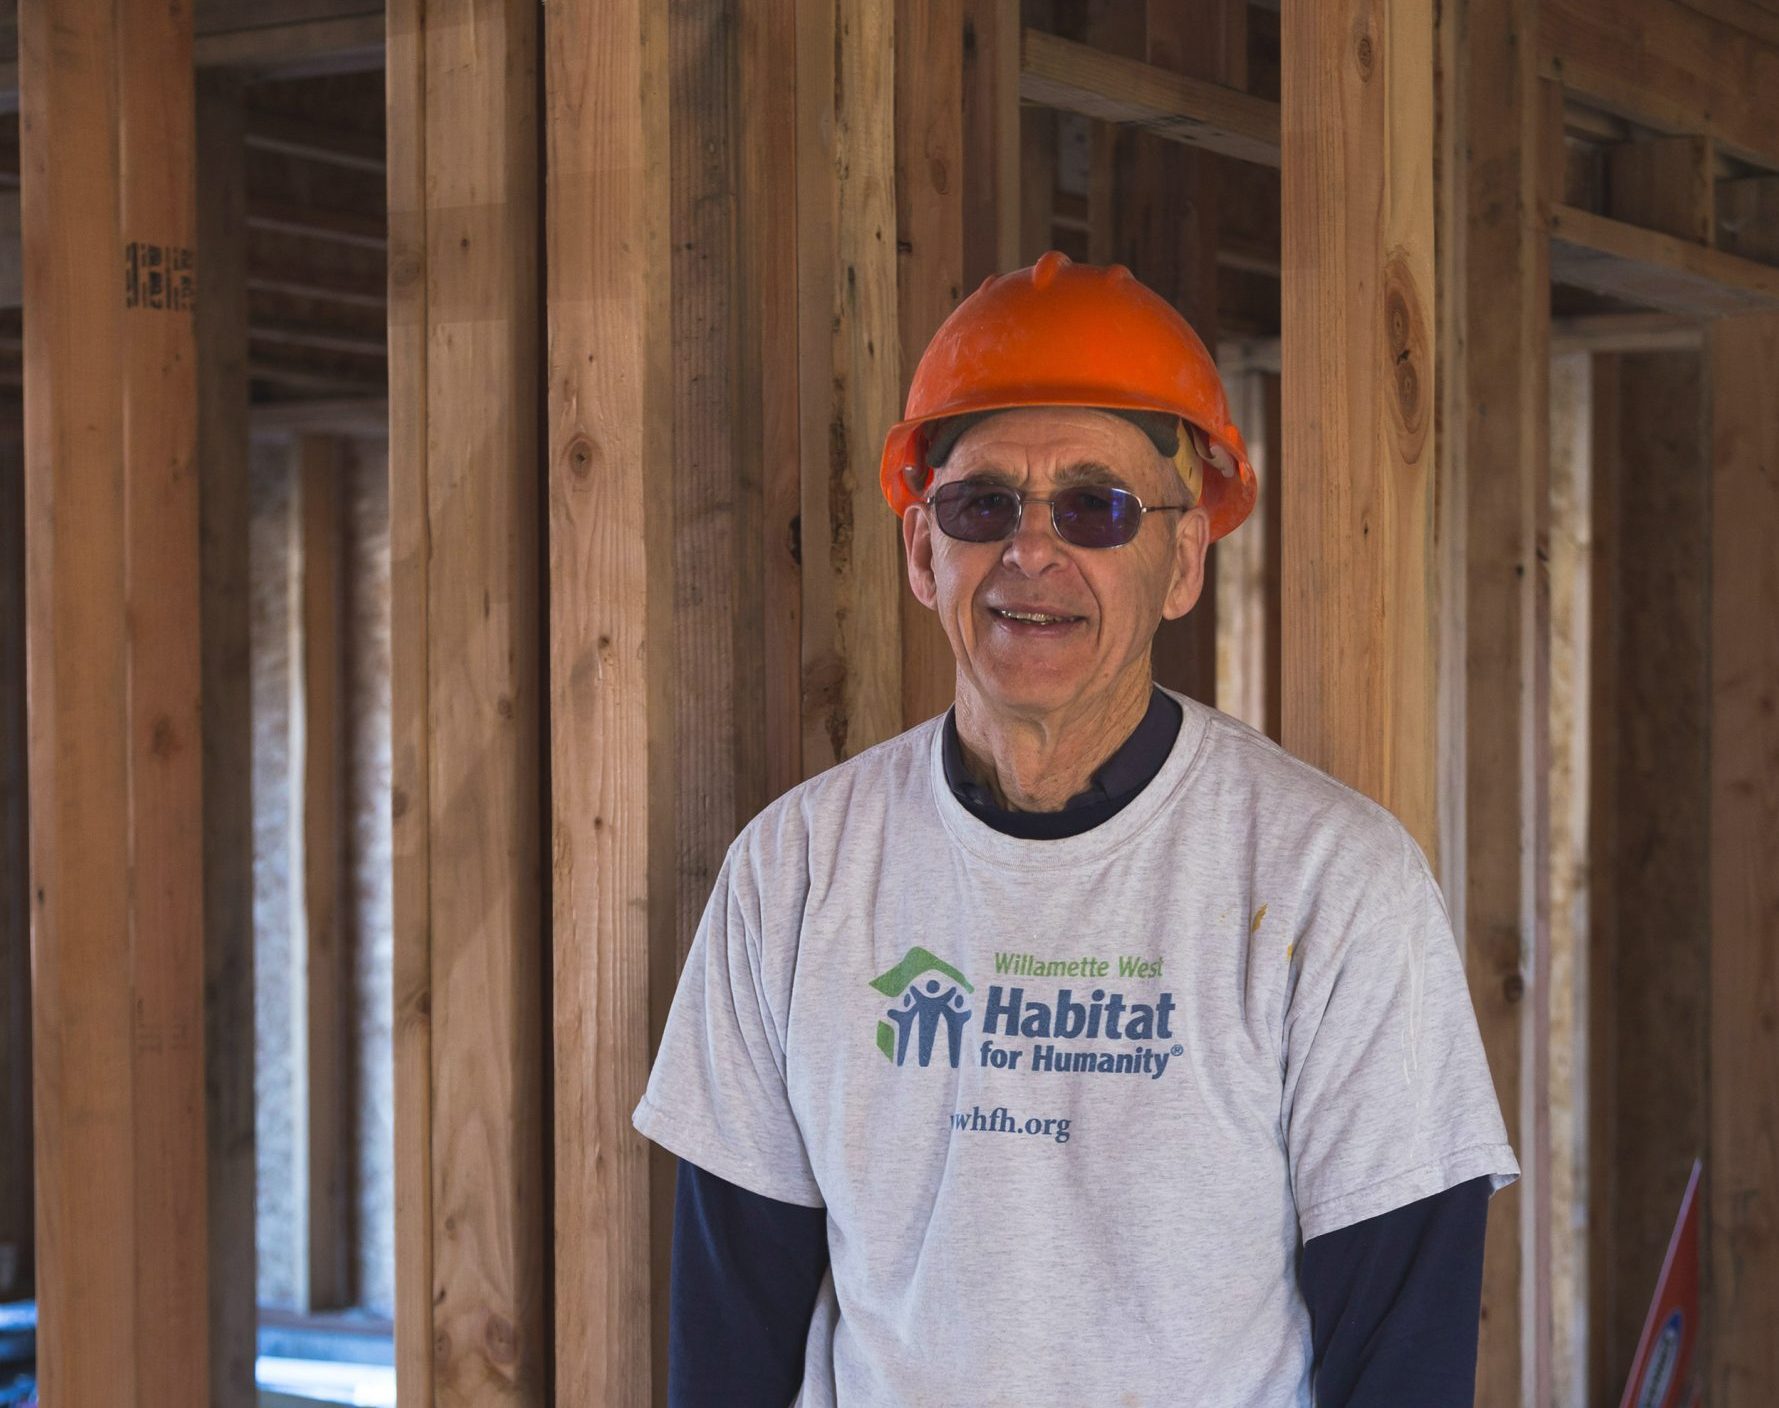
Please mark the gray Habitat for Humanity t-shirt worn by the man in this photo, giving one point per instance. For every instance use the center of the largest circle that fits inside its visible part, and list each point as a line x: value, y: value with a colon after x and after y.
x: 1072, y: 1106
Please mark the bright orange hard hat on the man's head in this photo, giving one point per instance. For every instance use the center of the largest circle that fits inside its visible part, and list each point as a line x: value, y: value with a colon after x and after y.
x: 1067, y: 334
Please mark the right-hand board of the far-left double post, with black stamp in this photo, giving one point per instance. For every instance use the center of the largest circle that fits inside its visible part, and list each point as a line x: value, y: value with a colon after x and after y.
x: 157, y: 206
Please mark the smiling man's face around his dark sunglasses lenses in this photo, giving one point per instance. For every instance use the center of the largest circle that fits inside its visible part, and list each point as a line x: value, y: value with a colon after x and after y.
x: 1104, y: 604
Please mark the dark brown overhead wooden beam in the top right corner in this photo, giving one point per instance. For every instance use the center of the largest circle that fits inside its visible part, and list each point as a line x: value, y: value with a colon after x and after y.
x: 1671, y: 69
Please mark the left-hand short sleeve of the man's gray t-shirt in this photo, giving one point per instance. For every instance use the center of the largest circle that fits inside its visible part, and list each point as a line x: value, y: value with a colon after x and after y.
x: 718, y: 1094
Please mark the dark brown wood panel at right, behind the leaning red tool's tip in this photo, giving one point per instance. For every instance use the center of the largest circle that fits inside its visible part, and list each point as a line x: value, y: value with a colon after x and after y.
x: 1648, y: 909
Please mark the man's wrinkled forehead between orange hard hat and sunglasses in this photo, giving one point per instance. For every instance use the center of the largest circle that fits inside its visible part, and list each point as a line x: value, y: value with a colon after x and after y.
x: 1049, y: 444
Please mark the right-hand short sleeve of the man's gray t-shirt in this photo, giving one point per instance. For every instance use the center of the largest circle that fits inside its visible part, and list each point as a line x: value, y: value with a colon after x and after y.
x: 1387, y: 1088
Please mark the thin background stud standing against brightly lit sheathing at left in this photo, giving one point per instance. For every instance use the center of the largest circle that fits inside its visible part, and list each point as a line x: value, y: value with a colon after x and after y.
x: 321, y: 816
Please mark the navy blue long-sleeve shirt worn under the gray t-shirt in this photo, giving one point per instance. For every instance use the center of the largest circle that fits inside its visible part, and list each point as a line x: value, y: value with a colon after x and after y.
x: 1394, y: 1300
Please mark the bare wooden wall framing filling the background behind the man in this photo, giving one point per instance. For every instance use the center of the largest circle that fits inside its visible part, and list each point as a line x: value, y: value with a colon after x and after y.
x: 657, y: 279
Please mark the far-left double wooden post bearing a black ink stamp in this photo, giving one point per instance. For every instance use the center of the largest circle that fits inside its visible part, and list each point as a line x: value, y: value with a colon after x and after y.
x: 115, y: 706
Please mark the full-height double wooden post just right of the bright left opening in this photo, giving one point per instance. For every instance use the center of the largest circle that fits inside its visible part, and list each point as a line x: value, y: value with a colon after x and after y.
x: 463, y: 465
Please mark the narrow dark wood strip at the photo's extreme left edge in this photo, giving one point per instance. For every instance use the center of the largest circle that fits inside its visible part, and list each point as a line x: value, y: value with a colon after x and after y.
x: 17, y: 1238
